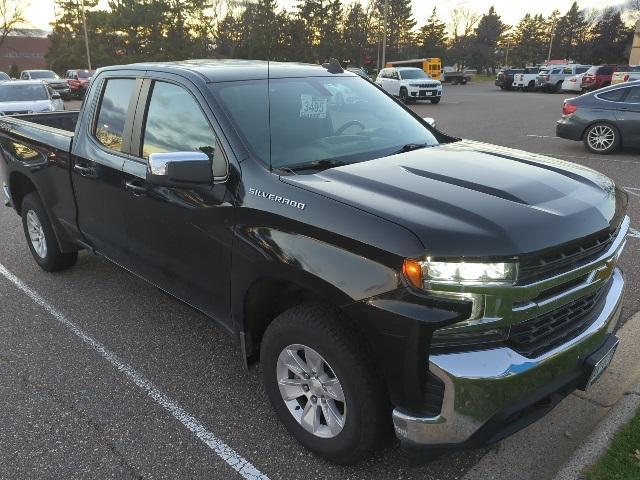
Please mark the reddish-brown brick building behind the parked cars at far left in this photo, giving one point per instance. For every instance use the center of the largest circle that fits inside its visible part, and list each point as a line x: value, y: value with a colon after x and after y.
x: 25, y: 49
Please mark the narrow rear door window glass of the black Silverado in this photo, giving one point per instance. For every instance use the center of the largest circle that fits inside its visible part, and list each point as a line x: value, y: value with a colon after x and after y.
x: 109, y: 126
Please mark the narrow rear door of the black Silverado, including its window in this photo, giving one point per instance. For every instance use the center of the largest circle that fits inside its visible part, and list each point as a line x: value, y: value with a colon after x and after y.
x: 98, y: 156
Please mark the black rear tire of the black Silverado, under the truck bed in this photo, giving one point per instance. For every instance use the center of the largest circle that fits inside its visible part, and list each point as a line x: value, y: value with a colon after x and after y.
x: 52, y: 260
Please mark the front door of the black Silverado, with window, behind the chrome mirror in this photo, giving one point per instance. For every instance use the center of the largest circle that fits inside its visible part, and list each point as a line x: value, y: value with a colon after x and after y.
x: 179, y: 238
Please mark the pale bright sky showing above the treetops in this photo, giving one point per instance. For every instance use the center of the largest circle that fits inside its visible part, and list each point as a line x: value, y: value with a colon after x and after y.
x: 41, y: 12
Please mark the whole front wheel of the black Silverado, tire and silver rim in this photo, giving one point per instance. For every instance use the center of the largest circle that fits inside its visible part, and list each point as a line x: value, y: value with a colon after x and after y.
x: 321, y: 380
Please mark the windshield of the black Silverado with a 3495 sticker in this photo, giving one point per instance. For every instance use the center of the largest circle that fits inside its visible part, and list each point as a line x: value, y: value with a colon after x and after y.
x: 292, y: 122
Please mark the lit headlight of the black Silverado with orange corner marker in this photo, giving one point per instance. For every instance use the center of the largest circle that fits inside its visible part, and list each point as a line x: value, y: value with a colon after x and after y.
x: 422, y: 273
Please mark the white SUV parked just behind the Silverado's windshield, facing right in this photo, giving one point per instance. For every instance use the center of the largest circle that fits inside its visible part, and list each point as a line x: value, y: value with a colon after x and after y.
x: 410, y: 84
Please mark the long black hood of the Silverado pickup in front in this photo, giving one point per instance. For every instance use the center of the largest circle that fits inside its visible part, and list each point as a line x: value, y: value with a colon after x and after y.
x: 476, y: 200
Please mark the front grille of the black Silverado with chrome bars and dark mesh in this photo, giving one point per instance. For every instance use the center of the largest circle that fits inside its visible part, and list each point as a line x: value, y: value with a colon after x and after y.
x: 535, y: 317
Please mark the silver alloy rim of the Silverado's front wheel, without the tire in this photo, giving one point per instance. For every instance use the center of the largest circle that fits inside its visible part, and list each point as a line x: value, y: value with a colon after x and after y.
x: 311, y: 391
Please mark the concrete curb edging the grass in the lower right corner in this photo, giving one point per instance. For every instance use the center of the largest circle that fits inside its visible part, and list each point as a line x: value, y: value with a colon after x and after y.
x: 597, y: 443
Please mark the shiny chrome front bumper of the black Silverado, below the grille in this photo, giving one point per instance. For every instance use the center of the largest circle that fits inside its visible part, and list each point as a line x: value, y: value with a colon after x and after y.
x: 481, y: 384
